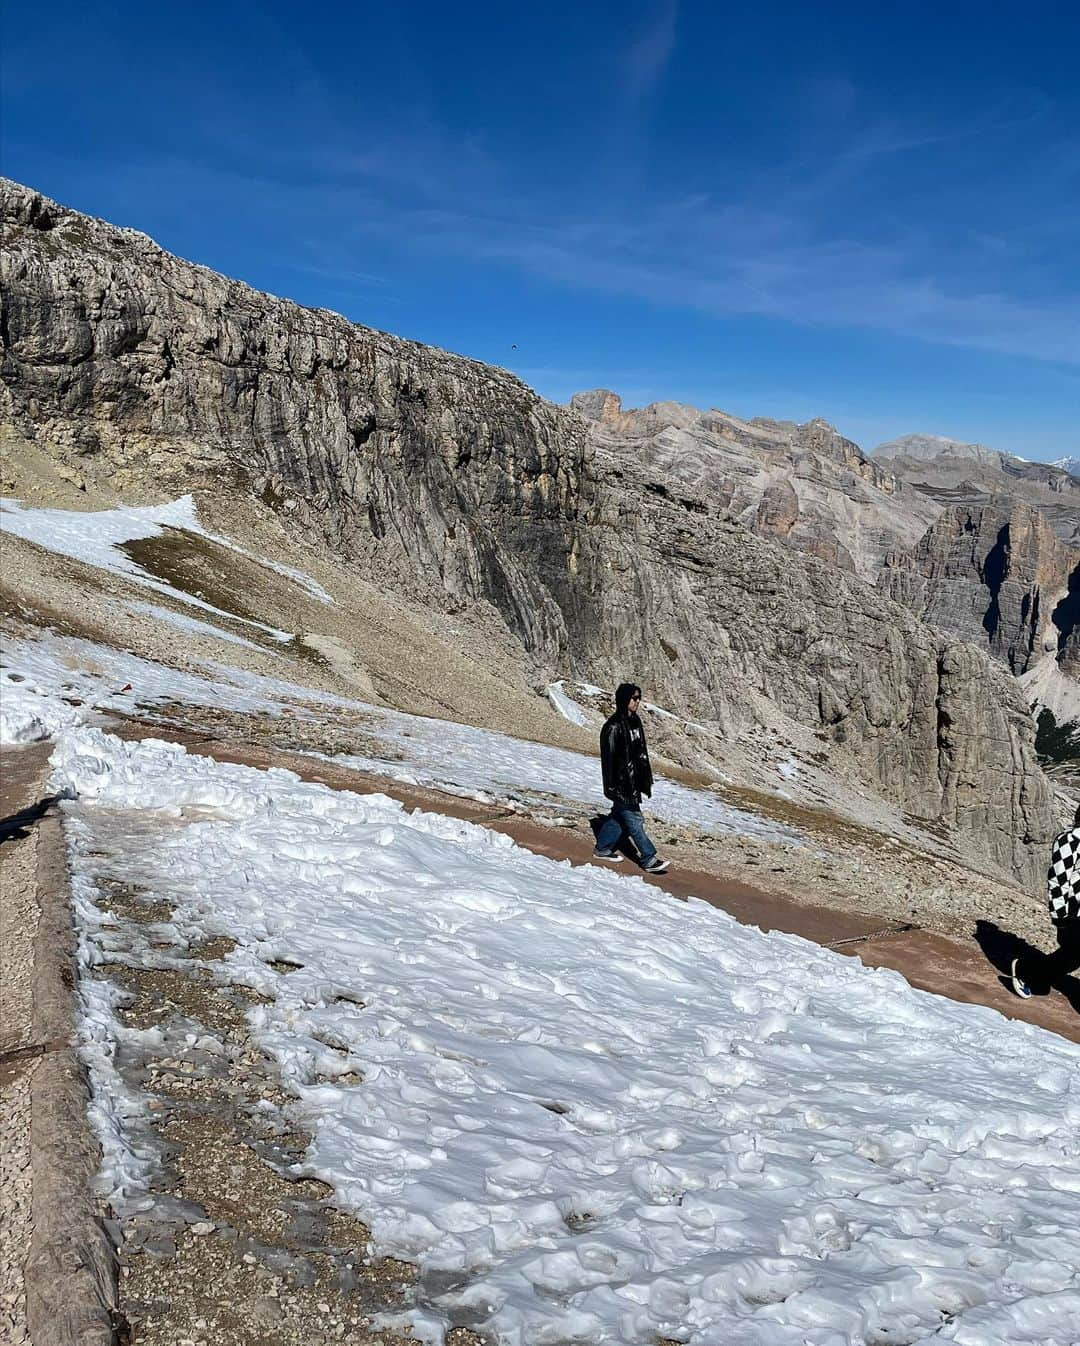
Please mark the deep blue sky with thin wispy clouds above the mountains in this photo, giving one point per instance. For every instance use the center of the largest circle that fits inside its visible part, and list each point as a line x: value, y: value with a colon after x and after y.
x: 868, y: 213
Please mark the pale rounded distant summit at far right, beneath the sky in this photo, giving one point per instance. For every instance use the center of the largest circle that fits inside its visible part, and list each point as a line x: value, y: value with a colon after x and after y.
x: 953, y: 473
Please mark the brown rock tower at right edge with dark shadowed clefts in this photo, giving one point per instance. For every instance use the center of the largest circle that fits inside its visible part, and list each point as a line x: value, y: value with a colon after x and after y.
x: 997, y: 577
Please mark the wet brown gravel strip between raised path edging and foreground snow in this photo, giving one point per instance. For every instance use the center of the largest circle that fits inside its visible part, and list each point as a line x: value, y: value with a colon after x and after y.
x: 230, y: 1247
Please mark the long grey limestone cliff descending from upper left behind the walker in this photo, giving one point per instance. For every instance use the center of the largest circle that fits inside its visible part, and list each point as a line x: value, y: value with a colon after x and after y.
x: 452, y: 481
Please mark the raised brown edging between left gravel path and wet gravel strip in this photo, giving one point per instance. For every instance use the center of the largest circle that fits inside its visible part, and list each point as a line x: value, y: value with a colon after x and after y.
x: 71, y: 1273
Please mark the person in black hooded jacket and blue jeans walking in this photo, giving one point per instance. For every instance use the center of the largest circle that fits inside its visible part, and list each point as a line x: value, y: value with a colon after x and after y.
x: 627, y: 776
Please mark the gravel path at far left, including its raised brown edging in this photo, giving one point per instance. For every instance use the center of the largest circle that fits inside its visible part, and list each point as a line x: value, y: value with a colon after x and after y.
x: 57, y: 1261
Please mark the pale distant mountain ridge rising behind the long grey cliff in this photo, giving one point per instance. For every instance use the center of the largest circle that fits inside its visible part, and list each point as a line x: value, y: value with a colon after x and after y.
x: 806, y: 487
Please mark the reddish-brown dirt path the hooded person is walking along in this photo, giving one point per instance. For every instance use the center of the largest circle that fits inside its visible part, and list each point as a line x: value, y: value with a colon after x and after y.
x: 969, y: 971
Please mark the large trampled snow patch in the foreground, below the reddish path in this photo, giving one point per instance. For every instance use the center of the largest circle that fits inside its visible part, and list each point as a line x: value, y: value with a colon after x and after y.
x: 595, y: 1115
